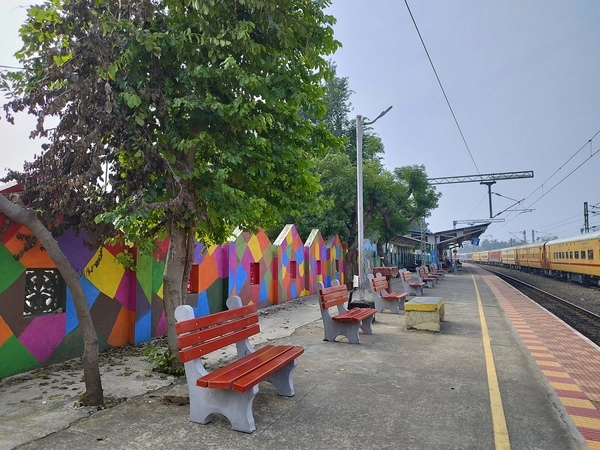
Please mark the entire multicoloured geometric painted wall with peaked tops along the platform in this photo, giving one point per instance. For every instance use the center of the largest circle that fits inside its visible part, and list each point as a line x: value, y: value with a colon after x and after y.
x: 126, y: 306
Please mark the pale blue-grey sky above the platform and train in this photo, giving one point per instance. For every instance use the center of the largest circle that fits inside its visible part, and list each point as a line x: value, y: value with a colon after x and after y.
x: 522, y: 79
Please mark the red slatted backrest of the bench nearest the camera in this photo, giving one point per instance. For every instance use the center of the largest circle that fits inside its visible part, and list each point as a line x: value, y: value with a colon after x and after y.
x: 200, y: 336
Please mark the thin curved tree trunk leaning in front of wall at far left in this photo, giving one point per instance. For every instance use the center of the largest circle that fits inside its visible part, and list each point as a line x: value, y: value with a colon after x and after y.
x: 93, y: 395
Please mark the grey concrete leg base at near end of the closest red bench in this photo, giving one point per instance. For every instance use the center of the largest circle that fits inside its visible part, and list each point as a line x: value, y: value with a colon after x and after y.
x: 237, y: 407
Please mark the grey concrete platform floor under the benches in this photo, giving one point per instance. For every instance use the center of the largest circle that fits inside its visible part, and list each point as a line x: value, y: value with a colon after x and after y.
x: 398, y: 389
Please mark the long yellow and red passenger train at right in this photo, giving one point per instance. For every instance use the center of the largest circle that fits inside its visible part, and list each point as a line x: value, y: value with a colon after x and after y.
x: 576, y: 258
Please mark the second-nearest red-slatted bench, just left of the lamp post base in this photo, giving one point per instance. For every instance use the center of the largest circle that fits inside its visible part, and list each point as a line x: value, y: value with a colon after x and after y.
x: 346, y: 322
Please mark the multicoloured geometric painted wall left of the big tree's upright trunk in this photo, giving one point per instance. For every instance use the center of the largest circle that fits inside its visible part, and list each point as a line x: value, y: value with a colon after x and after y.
x: 122, y: 302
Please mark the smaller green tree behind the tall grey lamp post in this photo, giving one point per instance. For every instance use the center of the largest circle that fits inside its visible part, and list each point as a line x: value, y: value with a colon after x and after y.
x: 391, y: 200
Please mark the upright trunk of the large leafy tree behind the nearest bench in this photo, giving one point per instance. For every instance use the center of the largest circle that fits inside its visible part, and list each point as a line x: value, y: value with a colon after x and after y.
x: 177, y: 270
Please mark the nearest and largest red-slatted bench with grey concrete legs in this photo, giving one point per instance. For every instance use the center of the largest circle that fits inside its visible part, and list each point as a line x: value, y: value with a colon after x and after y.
x: 231, y: 389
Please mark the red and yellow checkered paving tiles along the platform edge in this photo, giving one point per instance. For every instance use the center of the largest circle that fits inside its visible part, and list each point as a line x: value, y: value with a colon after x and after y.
x: 571, y: 363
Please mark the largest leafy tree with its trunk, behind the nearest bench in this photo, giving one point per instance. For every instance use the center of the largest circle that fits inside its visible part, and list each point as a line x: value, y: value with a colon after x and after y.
x: 195, y: 107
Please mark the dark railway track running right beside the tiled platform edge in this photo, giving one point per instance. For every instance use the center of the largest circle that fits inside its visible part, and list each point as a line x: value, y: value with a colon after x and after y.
x: 581, y: 319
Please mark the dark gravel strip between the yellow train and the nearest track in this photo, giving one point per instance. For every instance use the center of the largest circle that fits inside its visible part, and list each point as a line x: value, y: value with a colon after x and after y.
x: 582, y: 296
